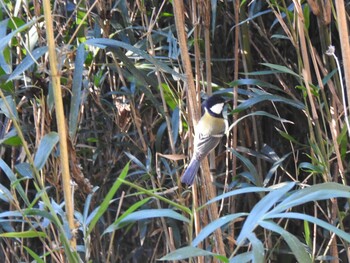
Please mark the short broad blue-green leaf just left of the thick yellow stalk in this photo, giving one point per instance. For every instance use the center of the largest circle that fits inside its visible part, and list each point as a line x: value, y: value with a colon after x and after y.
x: 47, y: 143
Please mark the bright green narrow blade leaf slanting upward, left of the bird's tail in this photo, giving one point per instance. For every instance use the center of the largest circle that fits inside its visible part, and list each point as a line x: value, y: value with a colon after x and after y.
x: 105, y: 204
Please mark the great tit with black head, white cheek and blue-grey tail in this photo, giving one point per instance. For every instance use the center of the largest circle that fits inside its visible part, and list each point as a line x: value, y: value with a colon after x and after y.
x: 208, y: 133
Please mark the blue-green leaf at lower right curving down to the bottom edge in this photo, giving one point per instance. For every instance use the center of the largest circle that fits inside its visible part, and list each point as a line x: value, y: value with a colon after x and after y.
x: 297, y: 248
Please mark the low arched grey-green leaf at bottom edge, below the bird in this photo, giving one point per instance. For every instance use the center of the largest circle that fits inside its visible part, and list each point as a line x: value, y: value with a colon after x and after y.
x: 190, y: 252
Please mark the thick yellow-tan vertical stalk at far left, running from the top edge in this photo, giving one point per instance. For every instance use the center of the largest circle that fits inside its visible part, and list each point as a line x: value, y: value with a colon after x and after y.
x: 61, y: 124
